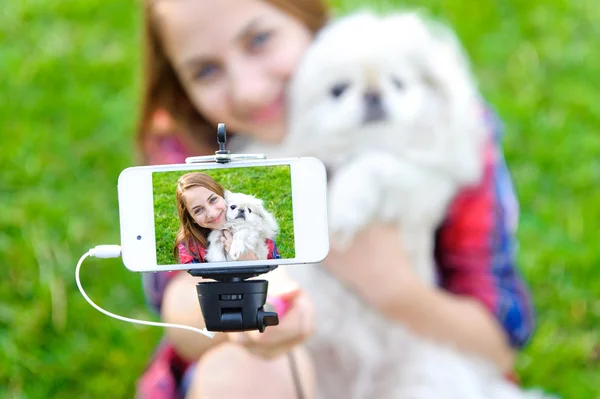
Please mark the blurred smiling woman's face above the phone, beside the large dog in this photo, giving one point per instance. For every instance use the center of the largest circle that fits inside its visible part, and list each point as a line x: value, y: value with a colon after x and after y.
x: 234, y: 58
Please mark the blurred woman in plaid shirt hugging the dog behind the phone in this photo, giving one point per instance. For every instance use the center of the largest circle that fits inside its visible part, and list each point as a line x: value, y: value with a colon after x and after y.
x: 229, y: 61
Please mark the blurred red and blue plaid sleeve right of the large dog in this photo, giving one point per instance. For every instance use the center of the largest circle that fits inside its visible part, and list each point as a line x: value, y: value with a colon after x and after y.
x: 476, y: 246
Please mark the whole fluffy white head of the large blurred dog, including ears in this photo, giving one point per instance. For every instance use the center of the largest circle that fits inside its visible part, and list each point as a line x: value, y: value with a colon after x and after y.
x: 379, y: 82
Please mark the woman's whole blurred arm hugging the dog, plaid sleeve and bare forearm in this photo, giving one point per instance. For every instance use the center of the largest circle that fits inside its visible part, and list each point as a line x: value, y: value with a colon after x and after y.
x: 483, y: 306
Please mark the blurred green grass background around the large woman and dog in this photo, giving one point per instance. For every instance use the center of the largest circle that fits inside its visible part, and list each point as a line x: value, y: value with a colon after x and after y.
x: 68, y: 95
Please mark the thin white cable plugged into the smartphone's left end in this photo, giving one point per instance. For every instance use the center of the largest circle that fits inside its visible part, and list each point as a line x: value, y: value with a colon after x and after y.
x: 114, y: 251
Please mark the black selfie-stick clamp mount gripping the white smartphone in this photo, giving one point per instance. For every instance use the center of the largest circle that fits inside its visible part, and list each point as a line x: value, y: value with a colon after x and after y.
x: 232, y: 302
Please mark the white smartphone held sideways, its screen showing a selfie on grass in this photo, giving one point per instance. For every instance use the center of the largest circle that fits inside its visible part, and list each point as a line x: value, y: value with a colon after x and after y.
x: 292, y: 190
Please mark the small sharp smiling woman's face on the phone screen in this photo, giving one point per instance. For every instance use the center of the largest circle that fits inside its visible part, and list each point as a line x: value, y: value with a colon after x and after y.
x: 206, y: 207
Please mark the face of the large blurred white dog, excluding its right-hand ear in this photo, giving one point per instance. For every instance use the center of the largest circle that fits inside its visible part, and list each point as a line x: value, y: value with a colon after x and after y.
x: 351, y: 80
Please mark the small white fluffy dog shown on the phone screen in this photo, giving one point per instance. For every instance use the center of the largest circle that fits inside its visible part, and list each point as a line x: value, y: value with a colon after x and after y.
x: 249, y: 223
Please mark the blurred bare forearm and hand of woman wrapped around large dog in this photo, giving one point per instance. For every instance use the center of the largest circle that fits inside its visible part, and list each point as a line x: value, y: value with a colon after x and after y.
x: 392, y: 288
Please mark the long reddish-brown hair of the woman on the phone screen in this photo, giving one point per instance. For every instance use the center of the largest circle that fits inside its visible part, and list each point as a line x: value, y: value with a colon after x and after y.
x: 190, y: 233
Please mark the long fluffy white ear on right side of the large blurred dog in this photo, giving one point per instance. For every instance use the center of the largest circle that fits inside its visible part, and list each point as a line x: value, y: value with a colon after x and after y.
x: 444, y: 67
